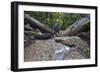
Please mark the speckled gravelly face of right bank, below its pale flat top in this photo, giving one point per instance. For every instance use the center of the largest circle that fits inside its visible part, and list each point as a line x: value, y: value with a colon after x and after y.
x: 79, y: 44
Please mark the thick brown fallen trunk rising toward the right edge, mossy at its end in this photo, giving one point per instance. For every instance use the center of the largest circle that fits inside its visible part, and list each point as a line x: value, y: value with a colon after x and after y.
x: 79, y: 26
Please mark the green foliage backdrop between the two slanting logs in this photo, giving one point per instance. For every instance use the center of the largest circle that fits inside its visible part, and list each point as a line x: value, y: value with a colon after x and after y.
x: 49, y: 18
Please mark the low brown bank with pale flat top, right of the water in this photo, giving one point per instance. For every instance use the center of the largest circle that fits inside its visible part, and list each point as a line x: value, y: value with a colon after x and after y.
x: 75, y: 42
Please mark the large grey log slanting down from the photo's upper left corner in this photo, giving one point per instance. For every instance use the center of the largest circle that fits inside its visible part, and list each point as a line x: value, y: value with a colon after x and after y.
x: 36, y: 24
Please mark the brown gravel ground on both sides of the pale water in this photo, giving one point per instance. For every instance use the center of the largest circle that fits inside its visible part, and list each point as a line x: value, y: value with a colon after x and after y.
x: 44, y: 50
